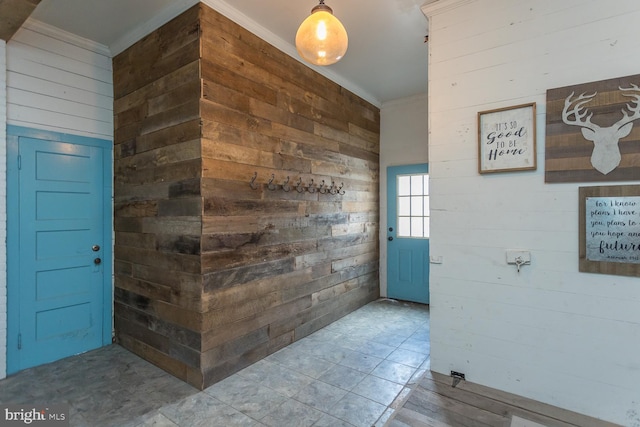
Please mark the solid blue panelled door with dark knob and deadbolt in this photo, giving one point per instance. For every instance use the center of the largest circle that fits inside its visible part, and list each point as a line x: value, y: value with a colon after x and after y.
x: 57, y: 293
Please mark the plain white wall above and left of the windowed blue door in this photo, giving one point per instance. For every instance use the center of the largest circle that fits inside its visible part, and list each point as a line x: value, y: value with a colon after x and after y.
x: 403, y: 141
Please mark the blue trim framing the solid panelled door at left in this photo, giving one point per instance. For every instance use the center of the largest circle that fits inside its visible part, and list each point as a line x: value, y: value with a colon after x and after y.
x: 14, y: 133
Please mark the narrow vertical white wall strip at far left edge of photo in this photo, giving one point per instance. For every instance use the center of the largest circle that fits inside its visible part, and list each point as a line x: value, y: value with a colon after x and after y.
x: 3, y: 209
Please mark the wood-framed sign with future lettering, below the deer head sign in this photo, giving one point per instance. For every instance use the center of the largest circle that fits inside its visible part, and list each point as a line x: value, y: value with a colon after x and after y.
x: 609, y: 221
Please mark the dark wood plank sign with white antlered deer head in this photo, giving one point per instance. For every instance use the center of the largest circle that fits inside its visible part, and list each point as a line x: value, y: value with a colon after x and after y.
x: 593, y: 131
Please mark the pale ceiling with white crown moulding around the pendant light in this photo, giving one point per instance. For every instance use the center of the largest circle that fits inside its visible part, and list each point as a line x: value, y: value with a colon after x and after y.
x: 386, y: 59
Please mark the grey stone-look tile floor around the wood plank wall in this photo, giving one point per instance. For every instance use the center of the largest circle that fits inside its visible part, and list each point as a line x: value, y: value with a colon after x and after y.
x: 354, y: 372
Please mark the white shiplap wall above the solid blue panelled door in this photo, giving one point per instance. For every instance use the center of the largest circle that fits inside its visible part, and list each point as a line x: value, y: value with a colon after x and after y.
x: 58, y: 82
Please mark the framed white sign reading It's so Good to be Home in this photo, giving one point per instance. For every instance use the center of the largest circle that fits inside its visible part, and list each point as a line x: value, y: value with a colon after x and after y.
x: 507, y: 139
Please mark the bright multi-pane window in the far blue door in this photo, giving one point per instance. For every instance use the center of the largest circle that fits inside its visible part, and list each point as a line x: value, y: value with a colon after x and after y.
x: 413, y: 206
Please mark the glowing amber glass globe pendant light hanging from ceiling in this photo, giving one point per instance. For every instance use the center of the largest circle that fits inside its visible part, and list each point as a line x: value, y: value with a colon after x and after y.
x: 321, y: 38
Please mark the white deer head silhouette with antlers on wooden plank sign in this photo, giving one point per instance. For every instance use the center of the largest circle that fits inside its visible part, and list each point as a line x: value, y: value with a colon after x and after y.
x: 606, y: 152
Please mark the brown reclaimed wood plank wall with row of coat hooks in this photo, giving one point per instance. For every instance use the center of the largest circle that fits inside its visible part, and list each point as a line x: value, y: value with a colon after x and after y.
x: 212, y: 275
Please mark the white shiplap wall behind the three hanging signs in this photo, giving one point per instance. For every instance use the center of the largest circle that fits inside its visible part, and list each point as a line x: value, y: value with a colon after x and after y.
x: 552, y: 333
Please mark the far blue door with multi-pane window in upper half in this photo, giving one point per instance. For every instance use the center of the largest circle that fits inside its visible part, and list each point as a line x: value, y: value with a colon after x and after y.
x: 408, y: 233
